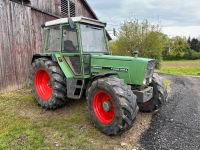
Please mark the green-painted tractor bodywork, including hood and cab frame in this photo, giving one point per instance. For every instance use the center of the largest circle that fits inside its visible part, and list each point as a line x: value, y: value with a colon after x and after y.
x: 131, y: 69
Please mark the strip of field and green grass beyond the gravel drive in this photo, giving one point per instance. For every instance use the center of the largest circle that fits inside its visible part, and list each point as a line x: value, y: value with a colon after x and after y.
x: 181, y: 67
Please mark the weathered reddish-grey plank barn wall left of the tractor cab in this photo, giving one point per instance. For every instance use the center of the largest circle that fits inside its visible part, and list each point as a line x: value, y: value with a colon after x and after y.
x: 20, y: 36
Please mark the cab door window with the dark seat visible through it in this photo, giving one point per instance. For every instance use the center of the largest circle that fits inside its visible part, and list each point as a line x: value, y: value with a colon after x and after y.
x: 70, y: 43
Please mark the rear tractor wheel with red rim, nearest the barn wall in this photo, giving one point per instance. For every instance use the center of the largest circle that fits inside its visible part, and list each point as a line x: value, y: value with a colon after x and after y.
x: 48, y: 84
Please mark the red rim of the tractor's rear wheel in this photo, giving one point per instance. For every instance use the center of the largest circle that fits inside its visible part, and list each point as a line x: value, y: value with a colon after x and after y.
x: 42, y: 84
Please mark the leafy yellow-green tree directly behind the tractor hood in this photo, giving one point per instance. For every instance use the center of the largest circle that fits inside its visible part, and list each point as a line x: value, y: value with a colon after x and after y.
x: 139, y: 36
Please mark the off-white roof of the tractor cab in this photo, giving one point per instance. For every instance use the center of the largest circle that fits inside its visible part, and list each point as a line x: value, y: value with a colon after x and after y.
x: 76, y: 19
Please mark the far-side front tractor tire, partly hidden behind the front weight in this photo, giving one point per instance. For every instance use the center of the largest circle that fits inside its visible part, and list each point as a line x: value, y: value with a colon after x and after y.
x: 159, y: 96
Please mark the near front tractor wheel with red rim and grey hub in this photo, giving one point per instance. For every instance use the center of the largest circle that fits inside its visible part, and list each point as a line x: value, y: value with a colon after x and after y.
x: 112, y: 105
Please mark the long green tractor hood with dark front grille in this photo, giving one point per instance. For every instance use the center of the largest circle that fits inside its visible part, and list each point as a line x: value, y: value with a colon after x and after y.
x: 134, y: 70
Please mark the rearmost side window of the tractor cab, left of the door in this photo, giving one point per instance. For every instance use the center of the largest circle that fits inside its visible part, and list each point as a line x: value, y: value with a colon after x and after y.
x: 54, y: 38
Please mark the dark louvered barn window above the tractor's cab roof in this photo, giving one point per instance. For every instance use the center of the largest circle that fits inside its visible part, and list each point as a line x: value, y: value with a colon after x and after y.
x: 68, y: 8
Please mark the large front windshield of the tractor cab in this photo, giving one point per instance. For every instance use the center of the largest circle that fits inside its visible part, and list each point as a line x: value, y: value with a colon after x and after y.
x: 93, y: 39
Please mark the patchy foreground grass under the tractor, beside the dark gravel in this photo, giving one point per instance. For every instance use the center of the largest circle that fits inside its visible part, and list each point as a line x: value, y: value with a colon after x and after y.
x: 24, y: 125
